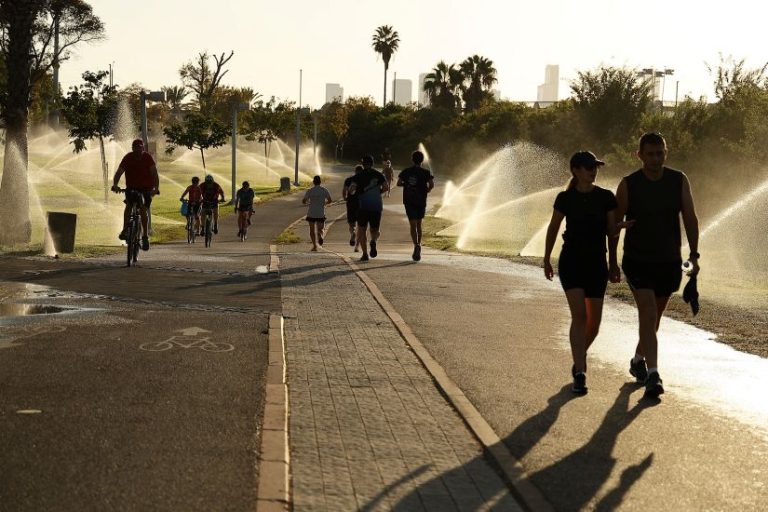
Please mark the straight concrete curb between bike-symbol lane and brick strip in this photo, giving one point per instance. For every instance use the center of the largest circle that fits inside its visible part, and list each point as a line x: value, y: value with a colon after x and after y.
x: 274, y: 457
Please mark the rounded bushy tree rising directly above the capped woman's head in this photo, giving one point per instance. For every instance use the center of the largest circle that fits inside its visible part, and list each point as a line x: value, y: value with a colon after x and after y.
x: 611, y: 102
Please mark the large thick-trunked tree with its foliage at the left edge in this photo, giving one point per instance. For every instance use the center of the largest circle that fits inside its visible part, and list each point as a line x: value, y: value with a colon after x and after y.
x: 27, y: 30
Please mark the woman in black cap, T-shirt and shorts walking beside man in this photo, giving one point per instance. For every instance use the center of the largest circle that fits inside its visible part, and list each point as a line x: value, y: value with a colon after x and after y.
x: 589, y: 214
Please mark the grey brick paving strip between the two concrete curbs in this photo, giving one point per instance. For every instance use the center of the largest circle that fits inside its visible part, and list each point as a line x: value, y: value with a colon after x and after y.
x: 369, y: 430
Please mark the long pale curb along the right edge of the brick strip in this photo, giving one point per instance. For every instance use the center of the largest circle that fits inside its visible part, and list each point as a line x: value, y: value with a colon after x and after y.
x: 527, y: 494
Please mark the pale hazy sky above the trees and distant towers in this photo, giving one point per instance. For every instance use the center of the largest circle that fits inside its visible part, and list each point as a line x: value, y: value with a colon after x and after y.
x: 148, y: 40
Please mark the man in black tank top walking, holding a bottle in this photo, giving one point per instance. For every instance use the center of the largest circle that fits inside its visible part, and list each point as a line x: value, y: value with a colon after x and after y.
x: 654, y: 197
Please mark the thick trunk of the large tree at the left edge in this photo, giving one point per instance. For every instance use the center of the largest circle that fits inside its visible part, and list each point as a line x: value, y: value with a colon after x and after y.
x: 14, y: 188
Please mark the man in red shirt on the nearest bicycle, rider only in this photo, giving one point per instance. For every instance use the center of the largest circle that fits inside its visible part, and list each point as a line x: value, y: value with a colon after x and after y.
x: 141, y: 183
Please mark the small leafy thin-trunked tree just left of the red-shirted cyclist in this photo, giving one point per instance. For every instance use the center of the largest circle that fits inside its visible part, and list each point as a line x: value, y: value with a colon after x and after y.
x: 91, y: 112
